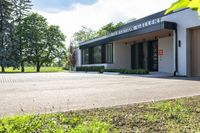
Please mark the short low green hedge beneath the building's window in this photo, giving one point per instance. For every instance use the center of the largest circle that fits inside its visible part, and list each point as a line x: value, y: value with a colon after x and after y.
x: 91, y: 69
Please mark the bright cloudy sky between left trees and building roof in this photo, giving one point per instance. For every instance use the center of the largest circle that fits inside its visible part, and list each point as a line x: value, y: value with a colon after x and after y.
x: 71, y: 15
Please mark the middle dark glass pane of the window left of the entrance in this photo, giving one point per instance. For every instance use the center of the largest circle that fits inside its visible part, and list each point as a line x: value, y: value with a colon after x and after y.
x: 97, y: 55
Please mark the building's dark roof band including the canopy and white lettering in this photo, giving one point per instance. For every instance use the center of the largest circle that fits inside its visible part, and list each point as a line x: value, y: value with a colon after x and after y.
x: 144, y: 25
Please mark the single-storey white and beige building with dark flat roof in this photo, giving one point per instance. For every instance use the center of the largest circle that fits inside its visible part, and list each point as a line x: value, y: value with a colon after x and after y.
x: 164, y: 43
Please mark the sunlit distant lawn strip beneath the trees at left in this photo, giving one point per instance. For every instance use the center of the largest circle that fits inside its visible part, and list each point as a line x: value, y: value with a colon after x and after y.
x: 33, y: 69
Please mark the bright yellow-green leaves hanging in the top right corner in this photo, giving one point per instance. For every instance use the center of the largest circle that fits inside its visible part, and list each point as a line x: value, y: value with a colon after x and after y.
x: 193, y: 4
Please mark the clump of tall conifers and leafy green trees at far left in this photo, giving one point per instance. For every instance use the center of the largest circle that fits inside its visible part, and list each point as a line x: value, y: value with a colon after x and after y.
x: 26, y: 38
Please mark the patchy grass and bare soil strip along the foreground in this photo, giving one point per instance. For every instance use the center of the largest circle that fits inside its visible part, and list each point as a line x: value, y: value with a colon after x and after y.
x: 182, y: 115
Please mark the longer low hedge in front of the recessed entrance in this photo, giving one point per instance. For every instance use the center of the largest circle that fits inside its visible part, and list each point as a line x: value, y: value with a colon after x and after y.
x: 127, y: 71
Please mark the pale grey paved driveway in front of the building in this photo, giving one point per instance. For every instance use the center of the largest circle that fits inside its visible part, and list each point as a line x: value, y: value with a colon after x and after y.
x: 45, y: 92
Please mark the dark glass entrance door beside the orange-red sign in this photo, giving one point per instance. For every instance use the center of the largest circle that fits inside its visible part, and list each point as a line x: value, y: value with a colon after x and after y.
x: 153, y: 56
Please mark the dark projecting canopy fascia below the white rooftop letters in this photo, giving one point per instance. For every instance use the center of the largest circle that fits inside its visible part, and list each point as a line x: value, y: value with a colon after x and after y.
x: 158, y: 25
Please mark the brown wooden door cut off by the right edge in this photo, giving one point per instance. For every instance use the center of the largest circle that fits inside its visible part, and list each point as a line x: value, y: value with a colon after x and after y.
x: 195, y: 52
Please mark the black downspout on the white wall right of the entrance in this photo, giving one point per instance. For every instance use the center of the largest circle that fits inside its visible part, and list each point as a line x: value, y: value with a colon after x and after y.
x: 176, y: 52
